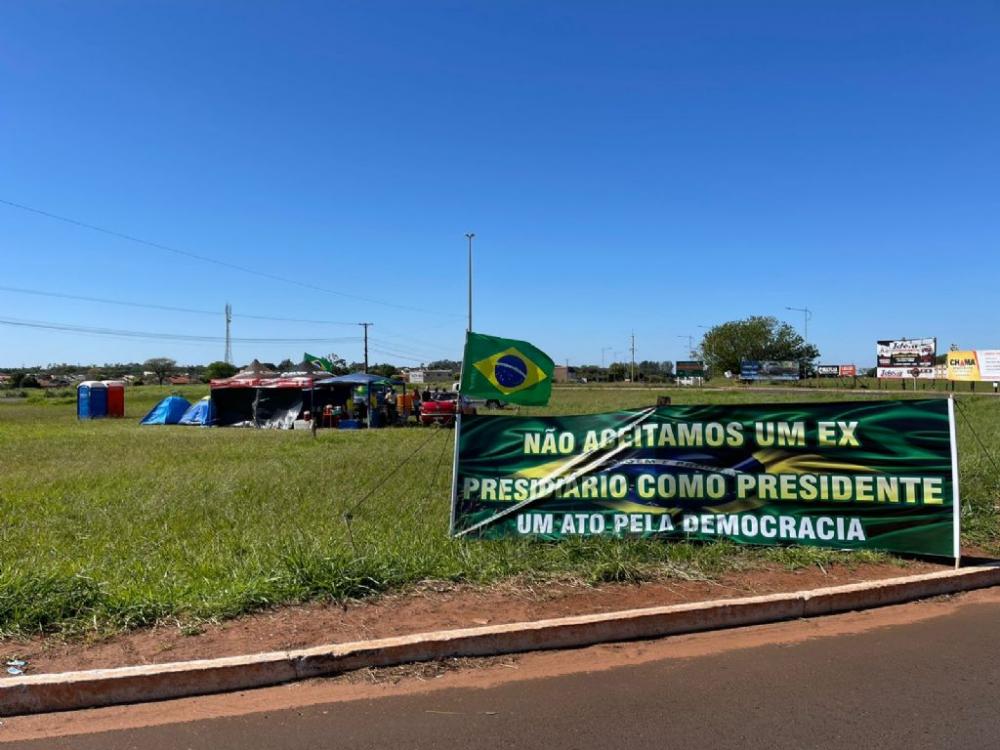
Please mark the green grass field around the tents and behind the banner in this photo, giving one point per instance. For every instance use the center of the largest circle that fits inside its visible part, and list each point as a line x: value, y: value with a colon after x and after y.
x: 107, y: 525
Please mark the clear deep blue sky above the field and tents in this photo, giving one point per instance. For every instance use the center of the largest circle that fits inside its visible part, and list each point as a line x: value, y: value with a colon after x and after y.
x: 653, y: 166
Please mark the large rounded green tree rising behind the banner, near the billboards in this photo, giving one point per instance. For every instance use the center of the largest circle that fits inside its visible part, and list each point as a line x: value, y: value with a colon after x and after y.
x: 756, y: 338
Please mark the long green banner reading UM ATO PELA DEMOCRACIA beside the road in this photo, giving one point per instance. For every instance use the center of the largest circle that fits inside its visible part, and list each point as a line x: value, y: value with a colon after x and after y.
x: 871, y: 475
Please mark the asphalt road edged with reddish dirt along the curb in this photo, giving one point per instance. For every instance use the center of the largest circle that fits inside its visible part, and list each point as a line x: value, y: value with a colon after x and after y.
x: 919, y: 681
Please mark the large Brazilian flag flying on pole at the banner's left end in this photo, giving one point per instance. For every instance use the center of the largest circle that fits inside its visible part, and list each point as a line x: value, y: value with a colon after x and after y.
x: 506, y: 369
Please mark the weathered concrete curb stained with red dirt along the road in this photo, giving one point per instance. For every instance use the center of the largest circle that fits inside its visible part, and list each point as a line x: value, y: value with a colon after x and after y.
x: 105, y: 687
